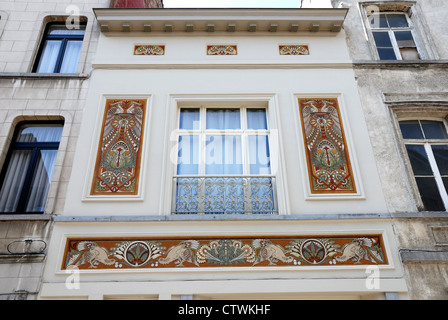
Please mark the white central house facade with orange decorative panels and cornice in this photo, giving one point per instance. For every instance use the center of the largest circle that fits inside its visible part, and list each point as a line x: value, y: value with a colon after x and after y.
x: 223, y: 154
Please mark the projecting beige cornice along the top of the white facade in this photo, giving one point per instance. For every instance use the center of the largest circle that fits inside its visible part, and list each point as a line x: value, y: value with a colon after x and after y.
x: 251, y: 21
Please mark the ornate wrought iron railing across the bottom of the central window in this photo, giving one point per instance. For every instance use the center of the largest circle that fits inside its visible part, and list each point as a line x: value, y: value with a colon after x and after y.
x: 224, y: 195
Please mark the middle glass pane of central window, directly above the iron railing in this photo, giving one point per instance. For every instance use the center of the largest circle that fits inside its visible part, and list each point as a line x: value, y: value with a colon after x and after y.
x: 223, y: 155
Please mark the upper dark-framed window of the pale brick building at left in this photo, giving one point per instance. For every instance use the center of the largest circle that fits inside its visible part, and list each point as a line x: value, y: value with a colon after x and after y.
x: 60, y: 49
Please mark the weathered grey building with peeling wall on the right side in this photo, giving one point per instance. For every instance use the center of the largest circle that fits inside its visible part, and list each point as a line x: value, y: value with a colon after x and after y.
x: 400, y: 61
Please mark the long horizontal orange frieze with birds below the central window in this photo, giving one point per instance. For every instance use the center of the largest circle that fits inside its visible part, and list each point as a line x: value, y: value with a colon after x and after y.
x: 152, y: 253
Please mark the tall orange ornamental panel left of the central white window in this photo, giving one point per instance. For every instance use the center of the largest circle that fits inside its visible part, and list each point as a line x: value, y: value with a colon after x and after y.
x: 117, y: 165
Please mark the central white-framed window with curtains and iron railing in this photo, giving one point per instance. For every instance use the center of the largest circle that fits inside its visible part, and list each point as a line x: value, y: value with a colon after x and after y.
x: 223, y: 162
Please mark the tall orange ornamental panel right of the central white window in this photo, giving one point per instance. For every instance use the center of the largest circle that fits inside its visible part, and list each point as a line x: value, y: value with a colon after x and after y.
x: 328, y: 160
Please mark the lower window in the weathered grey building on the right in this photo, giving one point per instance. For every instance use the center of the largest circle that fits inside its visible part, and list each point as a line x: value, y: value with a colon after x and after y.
x: 427, y: 147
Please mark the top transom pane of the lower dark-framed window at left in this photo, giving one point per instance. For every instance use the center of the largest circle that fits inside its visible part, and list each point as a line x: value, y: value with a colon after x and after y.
x: 39, y: 133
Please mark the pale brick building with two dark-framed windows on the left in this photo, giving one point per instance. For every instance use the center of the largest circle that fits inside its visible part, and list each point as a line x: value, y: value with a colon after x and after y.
x: 44, y: 76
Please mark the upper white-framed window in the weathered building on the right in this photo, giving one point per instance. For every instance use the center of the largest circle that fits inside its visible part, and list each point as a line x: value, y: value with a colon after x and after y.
x: 393, y: 36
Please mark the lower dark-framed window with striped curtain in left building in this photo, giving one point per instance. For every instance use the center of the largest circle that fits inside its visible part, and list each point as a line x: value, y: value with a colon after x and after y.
x: 26, y: 175
